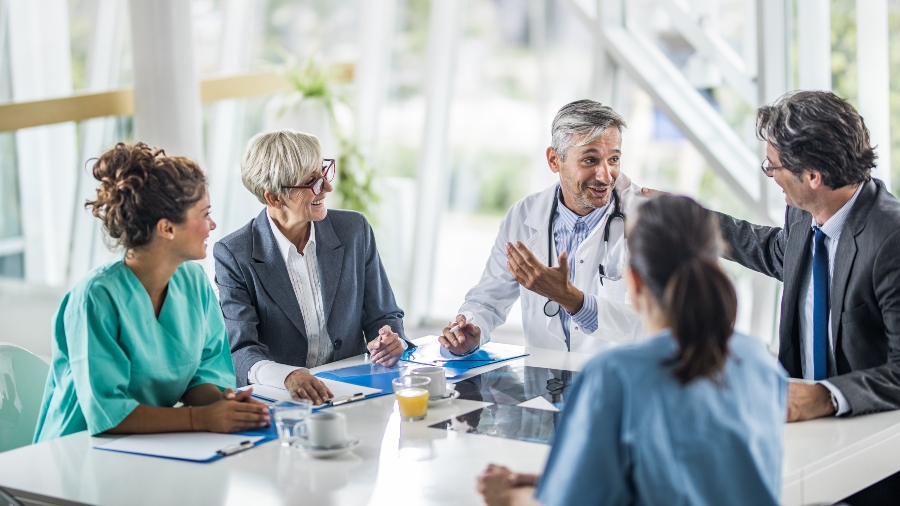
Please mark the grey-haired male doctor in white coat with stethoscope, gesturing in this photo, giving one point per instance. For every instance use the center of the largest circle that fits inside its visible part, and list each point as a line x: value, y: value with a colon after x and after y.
x: 562, y: 250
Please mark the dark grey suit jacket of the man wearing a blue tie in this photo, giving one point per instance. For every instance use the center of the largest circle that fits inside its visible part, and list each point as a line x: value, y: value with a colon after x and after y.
x: 865, y: 292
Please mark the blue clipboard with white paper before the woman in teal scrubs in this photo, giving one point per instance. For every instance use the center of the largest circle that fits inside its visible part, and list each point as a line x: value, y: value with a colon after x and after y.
x: 199, y: 447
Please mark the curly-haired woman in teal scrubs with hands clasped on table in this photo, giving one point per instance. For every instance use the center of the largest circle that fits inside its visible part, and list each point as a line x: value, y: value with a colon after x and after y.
x: 138, y: 335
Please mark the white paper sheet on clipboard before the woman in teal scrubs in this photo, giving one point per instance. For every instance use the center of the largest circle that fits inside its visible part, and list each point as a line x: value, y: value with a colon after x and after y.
x: 197, y: 446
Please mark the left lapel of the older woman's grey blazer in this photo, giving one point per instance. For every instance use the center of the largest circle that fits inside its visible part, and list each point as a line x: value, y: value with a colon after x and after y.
x: 272, y: 271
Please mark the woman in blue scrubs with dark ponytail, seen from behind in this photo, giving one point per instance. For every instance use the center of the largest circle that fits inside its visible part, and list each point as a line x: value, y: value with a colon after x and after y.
x: 693, y: 415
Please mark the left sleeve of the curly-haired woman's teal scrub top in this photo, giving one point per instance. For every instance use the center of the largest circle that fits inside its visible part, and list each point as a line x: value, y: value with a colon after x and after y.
x: 101, y: 369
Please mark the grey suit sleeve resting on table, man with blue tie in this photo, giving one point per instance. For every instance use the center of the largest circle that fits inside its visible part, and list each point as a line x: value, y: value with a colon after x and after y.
x: 878, y: 388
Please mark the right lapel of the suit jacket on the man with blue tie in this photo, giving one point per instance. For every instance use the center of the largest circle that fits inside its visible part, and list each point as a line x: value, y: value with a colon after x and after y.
x: 845, y: 256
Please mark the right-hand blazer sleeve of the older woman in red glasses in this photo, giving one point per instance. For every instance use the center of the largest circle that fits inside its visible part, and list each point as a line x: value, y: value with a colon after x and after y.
x: 379, y: 306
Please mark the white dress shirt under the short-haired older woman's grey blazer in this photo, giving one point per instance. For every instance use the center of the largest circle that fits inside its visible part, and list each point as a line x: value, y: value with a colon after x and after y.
x: 303, y: 271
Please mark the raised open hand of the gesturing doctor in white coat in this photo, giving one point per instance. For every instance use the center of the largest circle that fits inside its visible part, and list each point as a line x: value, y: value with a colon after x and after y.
x: 551, y: 282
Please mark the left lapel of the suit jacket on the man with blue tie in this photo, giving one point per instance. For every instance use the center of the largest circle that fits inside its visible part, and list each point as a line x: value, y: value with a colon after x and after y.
x: 796, y: 258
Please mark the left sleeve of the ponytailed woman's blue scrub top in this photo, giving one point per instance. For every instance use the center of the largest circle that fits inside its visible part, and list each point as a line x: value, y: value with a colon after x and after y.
x: 589, y: 462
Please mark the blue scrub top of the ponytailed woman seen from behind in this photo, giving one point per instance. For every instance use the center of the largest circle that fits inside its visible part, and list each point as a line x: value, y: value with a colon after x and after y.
x: 632, y: 434
